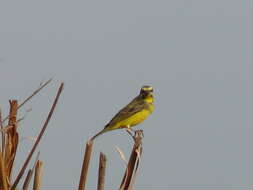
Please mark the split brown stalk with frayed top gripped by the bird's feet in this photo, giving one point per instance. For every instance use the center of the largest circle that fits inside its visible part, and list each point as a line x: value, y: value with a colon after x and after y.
x: 133, y: 163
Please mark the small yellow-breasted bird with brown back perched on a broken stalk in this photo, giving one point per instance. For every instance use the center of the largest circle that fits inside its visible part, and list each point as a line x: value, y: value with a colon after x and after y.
x: 133, y: 113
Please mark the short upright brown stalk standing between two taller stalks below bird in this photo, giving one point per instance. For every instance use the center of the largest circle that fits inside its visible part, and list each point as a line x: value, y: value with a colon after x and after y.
x: 101, y: 172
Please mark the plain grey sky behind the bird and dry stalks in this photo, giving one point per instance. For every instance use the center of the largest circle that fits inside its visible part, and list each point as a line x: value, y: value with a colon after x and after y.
x: 196, y: 54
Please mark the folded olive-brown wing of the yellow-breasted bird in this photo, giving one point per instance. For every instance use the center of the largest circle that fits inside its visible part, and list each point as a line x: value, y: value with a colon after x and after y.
x: 133, y: 107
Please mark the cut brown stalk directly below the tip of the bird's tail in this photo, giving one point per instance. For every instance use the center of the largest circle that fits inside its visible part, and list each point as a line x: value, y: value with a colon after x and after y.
x: 85, y: 166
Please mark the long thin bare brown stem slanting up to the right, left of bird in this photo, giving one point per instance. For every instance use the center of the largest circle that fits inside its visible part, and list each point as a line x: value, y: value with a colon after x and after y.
x: 20, y: 174
